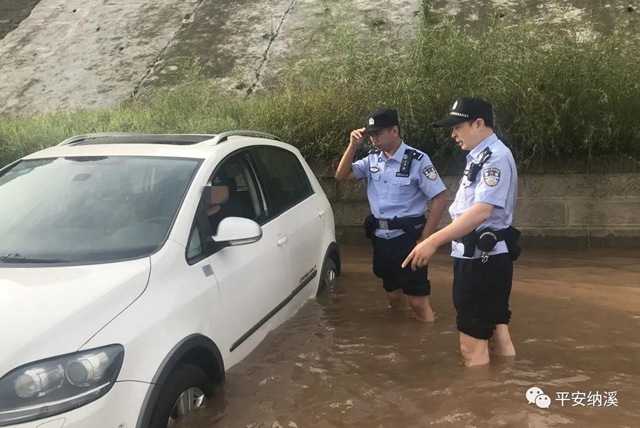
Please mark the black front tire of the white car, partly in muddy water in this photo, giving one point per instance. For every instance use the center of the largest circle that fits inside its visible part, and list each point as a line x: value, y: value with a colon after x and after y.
x: 187, y: 383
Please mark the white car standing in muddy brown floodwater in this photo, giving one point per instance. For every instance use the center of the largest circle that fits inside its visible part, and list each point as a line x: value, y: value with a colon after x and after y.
x: 122, y: 302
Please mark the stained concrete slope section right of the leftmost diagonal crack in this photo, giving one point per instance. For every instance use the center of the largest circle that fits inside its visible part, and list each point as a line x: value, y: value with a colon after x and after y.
x: 243, y: 44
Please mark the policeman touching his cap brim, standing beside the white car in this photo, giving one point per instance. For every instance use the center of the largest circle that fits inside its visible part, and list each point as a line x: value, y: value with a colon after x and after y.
x: 400, y: 180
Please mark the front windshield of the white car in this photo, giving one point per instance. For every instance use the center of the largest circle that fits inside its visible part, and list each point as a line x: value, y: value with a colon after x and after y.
x: 90, y: 209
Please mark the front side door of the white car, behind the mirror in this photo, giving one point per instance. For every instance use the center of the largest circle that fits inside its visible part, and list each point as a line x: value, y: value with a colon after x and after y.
x: 251, y: 277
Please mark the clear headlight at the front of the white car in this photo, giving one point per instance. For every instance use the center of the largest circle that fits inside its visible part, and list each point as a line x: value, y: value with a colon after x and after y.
x: 57, y: 385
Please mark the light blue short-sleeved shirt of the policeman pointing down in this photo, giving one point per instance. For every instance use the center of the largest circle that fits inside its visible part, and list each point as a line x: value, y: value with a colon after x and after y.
x: 495, y: 184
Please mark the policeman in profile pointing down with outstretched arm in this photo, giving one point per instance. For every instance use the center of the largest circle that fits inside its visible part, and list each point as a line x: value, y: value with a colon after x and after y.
x: 484, y: 244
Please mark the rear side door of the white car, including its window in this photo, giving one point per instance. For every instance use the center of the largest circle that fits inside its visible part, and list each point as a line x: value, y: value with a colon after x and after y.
x: 299, y: 210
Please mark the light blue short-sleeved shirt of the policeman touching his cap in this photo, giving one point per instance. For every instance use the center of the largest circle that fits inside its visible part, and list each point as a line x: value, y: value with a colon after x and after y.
x: 391, y: 195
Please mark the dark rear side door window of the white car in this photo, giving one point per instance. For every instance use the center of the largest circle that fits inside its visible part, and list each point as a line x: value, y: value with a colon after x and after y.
x: 285, y: 179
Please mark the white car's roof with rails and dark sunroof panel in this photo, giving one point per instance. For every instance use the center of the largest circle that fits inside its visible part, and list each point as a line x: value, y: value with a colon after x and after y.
x: 198, y: 146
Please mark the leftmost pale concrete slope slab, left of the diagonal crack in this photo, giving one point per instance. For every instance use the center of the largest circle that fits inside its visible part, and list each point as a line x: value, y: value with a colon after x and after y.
x: 84, y: 54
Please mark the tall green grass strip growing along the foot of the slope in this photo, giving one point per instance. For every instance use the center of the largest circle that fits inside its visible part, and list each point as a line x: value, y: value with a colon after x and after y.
x: 554, y: 94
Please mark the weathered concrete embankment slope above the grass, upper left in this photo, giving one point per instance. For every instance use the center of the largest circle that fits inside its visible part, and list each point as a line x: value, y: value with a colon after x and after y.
x: 86, y: 54
